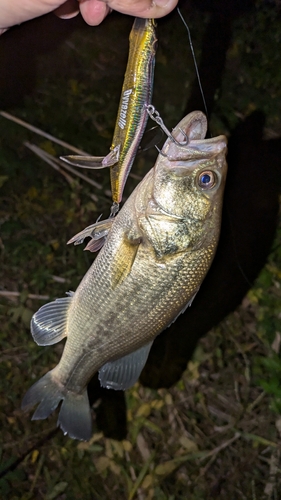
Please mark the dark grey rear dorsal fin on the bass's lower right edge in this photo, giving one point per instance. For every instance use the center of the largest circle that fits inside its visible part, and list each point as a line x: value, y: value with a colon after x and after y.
x: 124, y: 372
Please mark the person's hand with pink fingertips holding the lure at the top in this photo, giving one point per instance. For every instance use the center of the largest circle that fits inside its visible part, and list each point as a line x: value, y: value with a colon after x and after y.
x: 93, y: 11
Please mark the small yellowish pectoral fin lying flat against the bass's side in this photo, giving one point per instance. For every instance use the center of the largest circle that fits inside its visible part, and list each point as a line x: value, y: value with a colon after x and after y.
x: 123, y: 261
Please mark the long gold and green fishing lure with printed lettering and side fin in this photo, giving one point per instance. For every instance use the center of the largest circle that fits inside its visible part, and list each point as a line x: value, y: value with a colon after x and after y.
x: 132, y: 115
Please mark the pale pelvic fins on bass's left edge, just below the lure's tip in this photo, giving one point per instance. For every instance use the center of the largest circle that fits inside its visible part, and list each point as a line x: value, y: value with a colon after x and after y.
x: 98, y: 232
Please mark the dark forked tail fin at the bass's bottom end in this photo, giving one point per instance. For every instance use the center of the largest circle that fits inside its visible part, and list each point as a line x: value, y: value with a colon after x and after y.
x: 75, y: 414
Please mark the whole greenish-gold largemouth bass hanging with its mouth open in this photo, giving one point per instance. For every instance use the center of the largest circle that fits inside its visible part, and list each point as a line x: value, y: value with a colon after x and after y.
x: 155, y: 256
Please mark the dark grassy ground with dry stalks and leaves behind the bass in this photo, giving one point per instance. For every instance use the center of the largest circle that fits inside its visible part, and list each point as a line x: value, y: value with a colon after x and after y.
x: 217, y: 432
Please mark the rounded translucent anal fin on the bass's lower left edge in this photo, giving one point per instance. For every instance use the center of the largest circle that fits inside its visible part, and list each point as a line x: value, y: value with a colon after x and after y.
x: 48, y: 324
